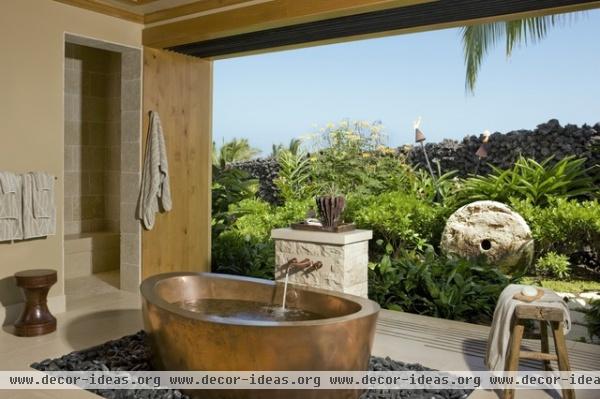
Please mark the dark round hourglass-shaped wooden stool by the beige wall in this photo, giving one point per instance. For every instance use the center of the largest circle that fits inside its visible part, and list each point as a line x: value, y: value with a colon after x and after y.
x: 36, y: 318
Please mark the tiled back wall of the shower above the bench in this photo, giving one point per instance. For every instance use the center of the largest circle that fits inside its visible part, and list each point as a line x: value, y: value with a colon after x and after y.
x: 92, y: 139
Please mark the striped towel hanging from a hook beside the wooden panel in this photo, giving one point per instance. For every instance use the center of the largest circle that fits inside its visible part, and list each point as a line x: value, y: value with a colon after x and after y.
x: 155, y: 193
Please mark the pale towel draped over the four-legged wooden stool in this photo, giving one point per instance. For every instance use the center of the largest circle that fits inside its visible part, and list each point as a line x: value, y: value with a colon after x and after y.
x: 499, y: 337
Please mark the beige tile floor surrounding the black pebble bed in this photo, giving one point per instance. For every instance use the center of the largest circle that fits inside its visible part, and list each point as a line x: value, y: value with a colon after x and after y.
x: 97, y: 312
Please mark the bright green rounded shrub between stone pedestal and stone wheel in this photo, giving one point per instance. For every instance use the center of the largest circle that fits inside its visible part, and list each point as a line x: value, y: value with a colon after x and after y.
x: 400, y: 219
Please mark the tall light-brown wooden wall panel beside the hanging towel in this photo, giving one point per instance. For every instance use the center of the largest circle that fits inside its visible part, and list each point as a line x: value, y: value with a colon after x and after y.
x: 179, y: 88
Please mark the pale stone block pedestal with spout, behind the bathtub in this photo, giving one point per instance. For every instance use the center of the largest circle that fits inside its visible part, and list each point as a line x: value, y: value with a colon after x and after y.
x: 345, y: 258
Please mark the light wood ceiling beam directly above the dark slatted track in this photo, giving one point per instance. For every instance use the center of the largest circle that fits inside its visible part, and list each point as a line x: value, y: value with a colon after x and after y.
x: 262, y: 16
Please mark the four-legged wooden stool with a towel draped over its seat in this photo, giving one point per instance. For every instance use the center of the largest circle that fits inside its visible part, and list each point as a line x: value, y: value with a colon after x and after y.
x: 545, y: 315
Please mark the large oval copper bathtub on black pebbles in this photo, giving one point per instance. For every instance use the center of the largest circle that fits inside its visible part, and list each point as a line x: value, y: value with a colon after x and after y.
x: 187, y: 340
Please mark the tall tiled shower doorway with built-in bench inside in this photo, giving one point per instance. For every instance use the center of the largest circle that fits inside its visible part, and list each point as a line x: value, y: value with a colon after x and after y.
x: 102, y: 168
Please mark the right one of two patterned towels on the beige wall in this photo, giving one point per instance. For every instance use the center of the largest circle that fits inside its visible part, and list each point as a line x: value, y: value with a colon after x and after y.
x: 45, y: 224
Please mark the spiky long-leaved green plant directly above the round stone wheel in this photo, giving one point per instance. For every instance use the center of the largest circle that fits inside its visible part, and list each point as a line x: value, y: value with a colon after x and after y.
x: 532, y: 181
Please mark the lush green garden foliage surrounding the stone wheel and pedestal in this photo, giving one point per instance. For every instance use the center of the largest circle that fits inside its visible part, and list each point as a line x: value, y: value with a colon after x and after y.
x: 407, y: 210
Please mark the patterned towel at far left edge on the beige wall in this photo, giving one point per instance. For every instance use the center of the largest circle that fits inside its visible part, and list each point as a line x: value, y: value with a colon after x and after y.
x: 11, y: 224
